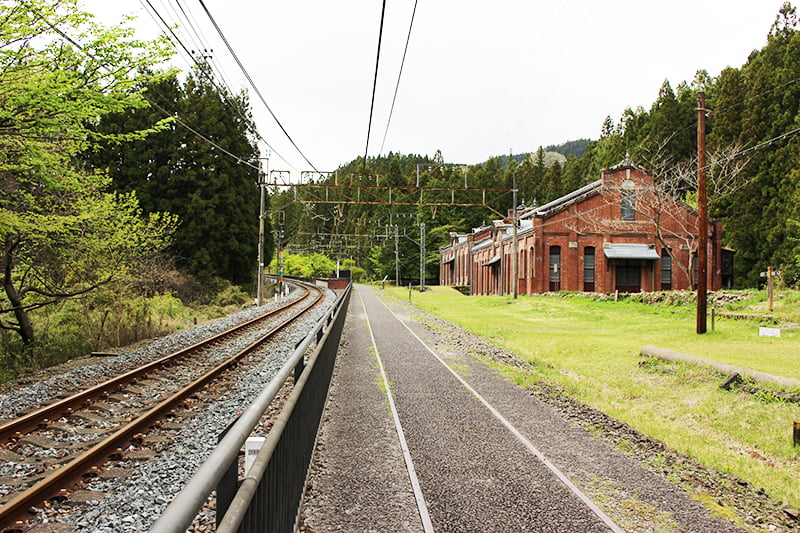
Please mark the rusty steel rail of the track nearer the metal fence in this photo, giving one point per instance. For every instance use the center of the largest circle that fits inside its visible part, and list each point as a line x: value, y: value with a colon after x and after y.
x: 72, y: 471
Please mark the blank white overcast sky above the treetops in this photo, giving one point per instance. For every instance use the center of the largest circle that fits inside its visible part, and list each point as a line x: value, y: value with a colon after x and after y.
x: 481, y: 77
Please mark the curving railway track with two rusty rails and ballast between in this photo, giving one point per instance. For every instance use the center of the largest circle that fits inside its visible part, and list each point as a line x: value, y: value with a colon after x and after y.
x: 55, y: 446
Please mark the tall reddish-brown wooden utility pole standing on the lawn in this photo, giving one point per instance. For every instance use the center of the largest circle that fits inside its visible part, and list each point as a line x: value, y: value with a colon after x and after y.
x: 702, y: 219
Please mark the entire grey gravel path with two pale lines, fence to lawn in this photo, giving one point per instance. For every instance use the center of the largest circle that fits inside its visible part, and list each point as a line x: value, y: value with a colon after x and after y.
x: 475, y: 475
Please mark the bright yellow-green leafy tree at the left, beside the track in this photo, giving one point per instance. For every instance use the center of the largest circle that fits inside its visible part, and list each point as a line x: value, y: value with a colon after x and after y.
x: 62, y: 234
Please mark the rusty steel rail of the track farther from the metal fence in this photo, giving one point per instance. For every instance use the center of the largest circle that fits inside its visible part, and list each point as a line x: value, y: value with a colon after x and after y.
x: 53, y: 411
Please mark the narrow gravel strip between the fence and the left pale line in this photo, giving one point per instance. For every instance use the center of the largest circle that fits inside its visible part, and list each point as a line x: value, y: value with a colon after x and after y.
x: 355, y: 397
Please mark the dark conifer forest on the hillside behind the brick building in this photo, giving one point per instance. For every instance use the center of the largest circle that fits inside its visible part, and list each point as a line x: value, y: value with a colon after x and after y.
x: 752, y: 163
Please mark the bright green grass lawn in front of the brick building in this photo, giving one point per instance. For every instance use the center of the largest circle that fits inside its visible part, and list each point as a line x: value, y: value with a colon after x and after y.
x: 592, y: 349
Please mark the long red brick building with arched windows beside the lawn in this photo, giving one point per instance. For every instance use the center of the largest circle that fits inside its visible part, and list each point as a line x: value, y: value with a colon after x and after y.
x: 617, y: 233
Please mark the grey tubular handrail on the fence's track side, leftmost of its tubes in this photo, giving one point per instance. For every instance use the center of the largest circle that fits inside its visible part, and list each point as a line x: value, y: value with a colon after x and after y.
x: 180, y: 513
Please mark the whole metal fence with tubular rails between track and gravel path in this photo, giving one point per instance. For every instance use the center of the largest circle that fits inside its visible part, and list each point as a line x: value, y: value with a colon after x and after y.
x: 269, y: 497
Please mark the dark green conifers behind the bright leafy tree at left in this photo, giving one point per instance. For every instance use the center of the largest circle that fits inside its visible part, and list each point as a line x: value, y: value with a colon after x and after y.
x: 175, y: 170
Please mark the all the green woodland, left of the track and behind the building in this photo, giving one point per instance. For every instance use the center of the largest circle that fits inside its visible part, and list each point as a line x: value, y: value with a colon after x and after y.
x: 116, y: 212
